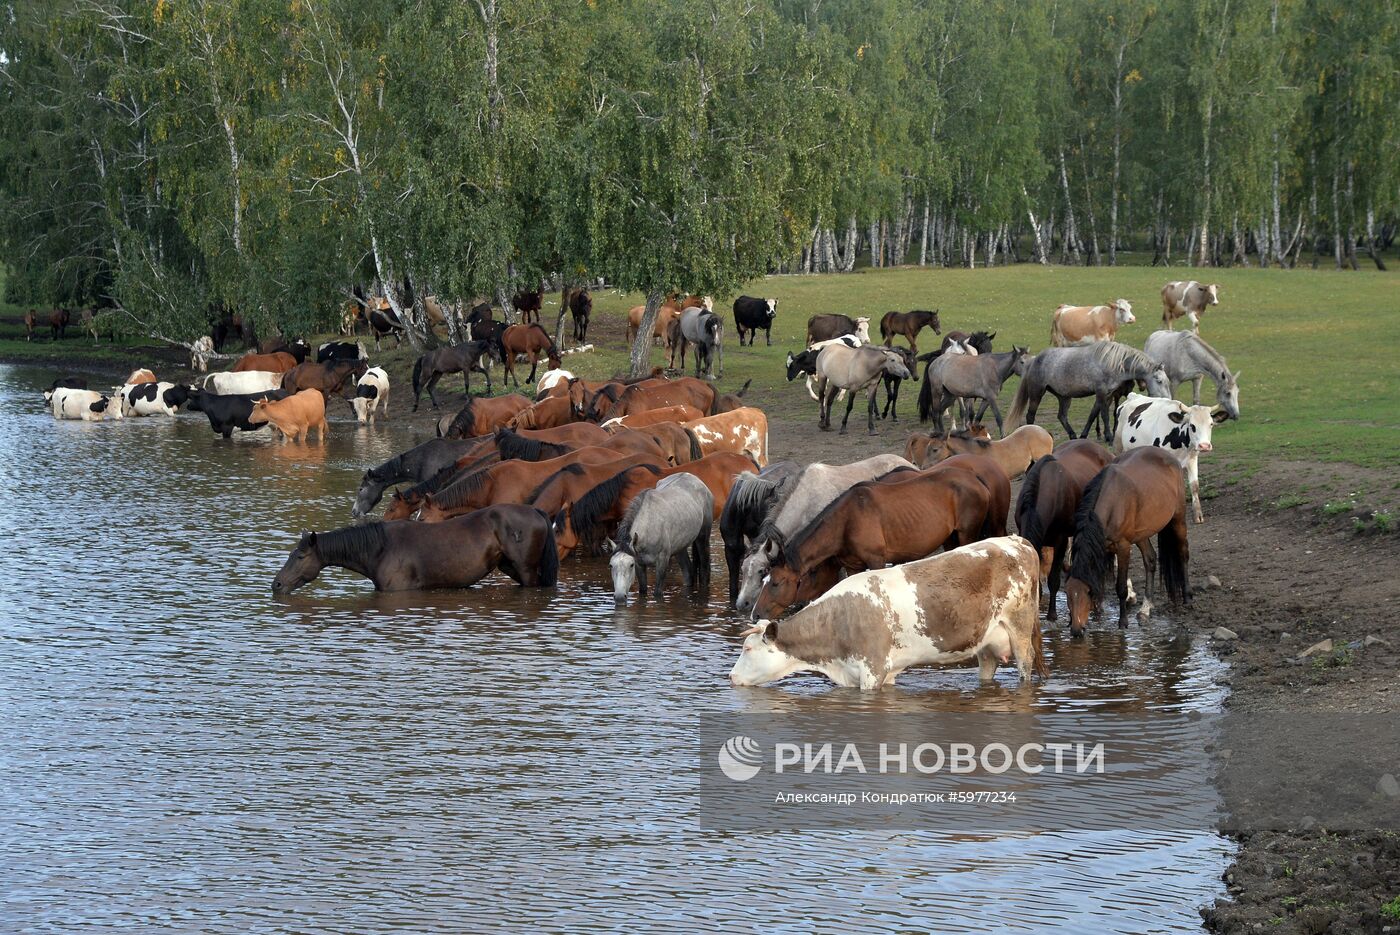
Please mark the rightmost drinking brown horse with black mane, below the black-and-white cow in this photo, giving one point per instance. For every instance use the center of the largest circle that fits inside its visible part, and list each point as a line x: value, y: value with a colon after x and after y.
x: 1140, y: 493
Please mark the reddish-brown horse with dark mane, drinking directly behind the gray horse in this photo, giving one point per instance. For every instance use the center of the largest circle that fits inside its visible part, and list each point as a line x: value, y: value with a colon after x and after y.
x: 596, y: 516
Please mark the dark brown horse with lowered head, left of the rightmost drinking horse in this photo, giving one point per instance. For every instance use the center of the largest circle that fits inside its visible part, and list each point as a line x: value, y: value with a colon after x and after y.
x: 1049, y: 499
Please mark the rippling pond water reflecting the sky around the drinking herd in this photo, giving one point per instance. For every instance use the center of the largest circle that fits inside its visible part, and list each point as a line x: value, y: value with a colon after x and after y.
x: 178, y: 748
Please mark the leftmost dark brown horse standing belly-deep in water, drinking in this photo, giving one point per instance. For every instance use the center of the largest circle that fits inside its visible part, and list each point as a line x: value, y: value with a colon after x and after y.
x: 415, y: 556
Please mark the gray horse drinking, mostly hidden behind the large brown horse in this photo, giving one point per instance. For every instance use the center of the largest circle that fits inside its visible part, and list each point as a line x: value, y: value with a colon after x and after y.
x: 803, y: 498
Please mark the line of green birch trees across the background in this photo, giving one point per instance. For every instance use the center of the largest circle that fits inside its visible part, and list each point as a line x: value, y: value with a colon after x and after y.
x: 180, y: 160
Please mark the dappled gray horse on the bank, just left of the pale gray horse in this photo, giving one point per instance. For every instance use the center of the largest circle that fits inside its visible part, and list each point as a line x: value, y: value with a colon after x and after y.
x: 1098, y: 370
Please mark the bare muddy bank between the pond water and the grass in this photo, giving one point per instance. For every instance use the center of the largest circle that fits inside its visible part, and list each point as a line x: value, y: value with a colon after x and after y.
x: 1290, y: 579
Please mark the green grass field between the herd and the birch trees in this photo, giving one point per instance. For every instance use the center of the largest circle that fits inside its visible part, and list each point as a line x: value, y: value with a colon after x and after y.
x: 1318, y: 352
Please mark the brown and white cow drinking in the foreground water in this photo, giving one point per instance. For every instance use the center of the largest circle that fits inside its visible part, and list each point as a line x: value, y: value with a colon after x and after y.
x: 976, y: 603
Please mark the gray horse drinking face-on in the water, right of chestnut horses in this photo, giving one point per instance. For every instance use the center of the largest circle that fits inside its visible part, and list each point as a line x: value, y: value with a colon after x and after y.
x: 673, y: 520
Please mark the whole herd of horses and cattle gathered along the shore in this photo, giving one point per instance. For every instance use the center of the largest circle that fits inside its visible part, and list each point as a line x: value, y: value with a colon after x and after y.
x: 856, y: 572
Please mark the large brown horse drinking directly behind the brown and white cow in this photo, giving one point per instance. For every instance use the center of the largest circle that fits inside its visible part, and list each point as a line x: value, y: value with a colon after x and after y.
x: 874, y: 526
